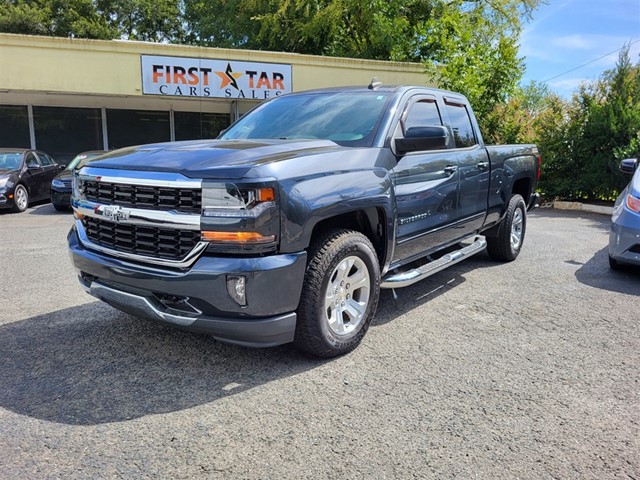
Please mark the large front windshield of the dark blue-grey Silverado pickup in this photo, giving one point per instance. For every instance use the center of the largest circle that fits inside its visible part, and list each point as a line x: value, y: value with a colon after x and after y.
x: 347, y: 118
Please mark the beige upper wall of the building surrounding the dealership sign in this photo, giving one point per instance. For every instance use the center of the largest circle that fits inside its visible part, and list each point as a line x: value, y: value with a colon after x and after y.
x: 78, y: 72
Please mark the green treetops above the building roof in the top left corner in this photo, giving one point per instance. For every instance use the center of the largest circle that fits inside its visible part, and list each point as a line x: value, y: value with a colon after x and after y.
x: 60, y: 18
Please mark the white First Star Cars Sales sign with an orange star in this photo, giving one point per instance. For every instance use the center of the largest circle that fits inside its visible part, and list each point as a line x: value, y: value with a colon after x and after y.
x: 199, y: 77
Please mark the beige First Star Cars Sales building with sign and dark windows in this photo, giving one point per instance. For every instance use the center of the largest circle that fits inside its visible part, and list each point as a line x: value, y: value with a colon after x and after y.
x: 65, y: 96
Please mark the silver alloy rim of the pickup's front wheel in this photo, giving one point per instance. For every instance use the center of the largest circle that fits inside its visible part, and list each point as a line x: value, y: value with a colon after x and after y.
x: 347, y: 295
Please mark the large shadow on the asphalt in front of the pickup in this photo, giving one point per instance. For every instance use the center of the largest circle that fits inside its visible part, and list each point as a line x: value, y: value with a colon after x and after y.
x: 91, y: 364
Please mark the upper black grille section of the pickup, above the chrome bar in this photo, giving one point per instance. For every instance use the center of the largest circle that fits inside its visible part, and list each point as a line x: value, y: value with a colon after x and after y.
x: 143, y: 196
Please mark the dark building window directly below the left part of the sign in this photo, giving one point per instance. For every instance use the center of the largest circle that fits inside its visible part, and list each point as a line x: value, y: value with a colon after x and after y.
x: 137, y: 127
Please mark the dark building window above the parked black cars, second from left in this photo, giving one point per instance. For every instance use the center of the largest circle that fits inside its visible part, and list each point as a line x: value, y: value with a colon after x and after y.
x: 64, y: 132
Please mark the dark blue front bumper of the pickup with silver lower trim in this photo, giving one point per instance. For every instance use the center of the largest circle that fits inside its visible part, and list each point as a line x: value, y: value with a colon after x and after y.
x: 198, y: 296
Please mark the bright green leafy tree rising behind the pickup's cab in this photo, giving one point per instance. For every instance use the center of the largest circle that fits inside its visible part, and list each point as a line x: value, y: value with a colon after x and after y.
x: 472, y: 47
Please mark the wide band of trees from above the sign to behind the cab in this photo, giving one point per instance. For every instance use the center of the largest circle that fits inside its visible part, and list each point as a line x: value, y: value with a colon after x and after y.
x: 470, y: 46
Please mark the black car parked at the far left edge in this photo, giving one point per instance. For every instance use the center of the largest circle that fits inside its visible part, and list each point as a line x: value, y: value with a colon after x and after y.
x: 25, y: 176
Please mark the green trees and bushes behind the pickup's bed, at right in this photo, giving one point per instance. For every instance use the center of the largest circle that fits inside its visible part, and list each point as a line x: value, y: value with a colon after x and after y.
x: 582, y: 140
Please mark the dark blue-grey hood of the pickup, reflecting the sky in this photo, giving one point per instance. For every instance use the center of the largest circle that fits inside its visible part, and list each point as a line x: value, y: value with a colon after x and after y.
x: 212, y: 158
